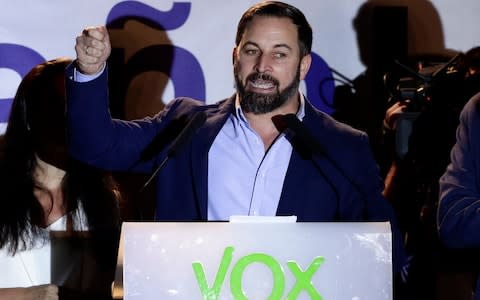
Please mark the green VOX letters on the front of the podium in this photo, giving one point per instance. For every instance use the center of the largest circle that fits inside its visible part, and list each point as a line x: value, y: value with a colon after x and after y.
x: 303, y: 278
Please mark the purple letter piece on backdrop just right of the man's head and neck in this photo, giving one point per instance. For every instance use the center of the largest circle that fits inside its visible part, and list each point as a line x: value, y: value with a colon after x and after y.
x: 320, y: 85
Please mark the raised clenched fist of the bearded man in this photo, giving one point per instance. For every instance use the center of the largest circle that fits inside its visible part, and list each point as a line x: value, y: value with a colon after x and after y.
x: 93, y: 48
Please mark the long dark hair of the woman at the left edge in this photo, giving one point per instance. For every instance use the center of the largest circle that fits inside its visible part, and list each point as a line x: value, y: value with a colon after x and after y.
x: 37, y: 127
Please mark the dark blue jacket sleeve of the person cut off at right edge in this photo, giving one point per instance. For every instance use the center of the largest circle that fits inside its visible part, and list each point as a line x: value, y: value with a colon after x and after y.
x: 458, y: 216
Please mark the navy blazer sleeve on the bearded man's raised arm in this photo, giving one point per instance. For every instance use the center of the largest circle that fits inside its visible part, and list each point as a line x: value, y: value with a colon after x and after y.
x: 94, y: 137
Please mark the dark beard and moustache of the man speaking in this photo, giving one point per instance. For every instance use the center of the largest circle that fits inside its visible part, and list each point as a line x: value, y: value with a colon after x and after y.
x: 264, y: 103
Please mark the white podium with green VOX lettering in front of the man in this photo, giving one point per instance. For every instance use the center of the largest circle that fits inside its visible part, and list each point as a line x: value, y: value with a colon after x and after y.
x: 222, y: 260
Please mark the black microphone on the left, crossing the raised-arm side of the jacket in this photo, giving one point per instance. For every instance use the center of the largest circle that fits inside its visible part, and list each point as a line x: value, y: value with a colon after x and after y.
x: 182, y: 138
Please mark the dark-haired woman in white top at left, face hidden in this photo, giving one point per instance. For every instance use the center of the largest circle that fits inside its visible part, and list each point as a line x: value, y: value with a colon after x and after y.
x: 59, y: 221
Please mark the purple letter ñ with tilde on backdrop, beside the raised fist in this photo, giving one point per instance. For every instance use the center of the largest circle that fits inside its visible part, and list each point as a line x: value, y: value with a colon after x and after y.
x: 176, y: 62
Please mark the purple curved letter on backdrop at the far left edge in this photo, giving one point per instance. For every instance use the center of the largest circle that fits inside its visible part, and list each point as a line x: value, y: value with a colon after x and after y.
x: 21, y: 60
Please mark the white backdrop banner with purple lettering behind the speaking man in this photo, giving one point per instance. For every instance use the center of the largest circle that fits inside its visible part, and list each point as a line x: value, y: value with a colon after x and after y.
x: 164, y: 49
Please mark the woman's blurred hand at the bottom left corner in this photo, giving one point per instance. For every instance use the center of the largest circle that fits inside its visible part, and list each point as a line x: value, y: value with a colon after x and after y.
x: 39, y: 292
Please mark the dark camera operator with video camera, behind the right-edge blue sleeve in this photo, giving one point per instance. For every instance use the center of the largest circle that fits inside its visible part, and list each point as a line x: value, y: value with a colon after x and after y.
x: 422, y: 127
